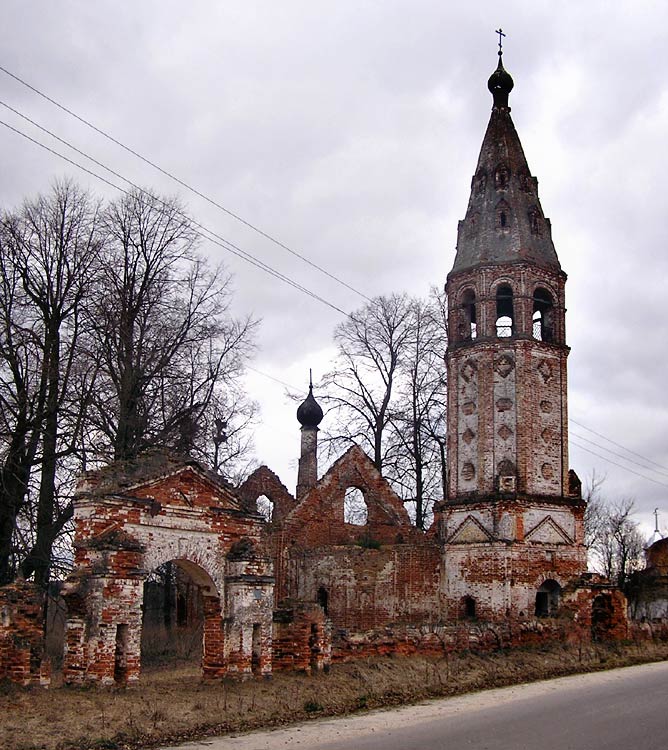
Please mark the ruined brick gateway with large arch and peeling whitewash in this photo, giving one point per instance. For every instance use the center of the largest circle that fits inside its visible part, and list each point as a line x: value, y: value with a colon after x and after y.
x: 132, y: 517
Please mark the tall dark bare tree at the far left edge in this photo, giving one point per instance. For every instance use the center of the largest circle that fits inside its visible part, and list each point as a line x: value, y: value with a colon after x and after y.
x: 50, y: 250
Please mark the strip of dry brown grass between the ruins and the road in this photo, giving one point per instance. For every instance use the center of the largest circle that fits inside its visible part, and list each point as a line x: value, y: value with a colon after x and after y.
x: 172, y: 703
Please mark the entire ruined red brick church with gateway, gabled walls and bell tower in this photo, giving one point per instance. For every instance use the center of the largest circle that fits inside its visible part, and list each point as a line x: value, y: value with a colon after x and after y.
x: 504, y: 562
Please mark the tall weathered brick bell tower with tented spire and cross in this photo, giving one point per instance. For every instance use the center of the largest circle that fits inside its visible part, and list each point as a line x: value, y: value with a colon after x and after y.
x: 512, y: 509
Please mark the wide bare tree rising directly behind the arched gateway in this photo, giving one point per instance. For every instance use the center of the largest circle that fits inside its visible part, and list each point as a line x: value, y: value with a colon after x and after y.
x: 169, y: 351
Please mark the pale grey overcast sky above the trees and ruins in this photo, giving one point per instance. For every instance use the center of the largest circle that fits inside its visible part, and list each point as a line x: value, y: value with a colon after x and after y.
x: 350, y: 131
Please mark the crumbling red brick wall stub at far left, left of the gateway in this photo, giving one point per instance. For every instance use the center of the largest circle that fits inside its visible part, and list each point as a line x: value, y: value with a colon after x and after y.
x: 22, y: 658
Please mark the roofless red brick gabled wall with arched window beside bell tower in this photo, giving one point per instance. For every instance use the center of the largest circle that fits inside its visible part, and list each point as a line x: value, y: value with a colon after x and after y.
x: 363, y: 576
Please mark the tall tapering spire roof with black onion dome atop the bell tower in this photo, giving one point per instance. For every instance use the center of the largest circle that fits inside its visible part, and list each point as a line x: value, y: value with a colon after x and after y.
x: 504, y: 219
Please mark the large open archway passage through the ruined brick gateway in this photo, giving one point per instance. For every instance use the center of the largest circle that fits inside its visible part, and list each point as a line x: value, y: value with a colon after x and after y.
x: 188, y: 623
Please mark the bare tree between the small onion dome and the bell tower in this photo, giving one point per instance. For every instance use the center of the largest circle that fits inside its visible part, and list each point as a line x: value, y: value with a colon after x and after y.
x: 386, y: 392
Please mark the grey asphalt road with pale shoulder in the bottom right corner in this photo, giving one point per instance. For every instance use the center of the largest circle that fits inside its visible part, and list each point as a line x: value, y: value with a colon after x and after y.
x: 623, y: 709
